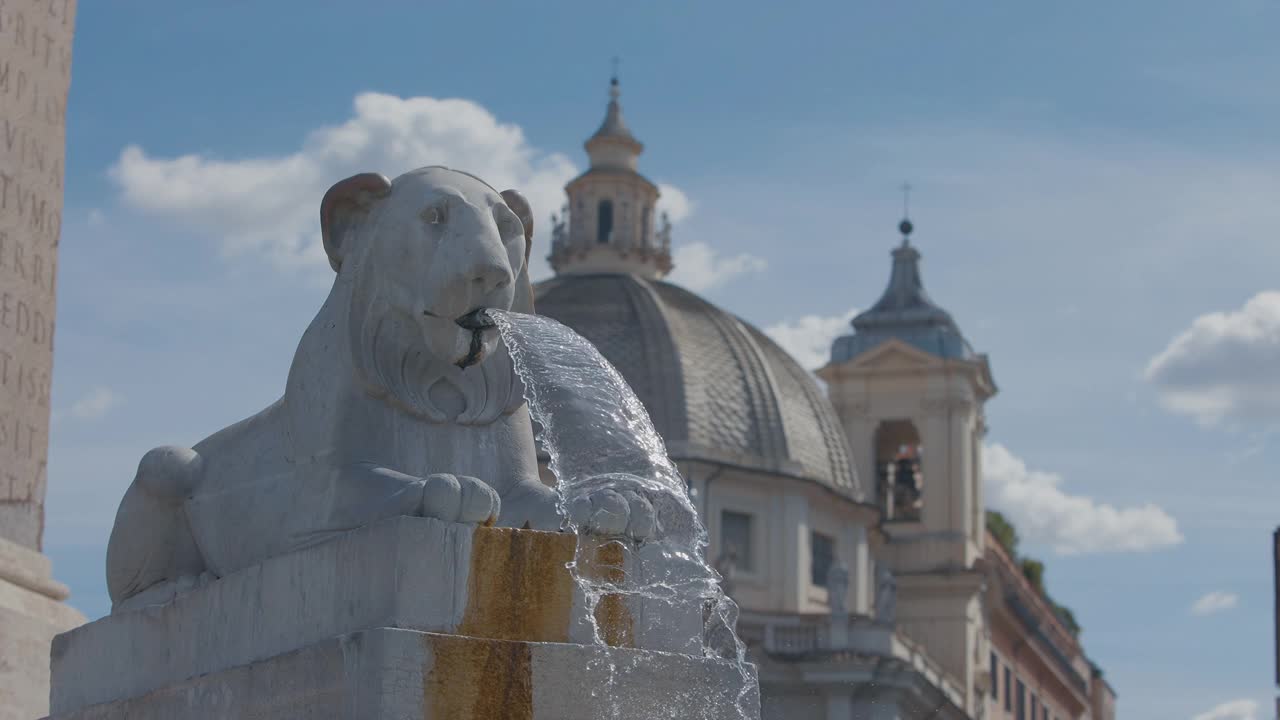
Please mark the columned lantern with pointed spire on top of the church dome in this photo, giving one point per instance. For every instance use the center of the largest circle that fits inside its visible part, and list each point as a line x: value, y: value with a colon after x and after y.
x: 610, y: 222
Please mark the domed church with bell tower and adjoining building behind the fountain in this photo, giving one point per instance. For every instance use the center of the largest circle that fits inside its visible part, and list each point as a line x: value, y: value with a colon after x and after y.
x: 849, y: 525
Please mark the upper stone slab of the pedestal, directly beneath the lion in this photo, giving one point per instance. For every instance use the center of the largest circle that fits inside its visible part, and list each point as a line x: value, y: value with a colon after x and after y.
x: 412, y: 573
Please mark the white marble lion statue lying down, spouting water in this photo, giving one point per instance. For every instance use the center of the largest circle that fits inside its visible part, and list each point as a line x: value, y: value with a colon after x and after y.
x: 401, y: 400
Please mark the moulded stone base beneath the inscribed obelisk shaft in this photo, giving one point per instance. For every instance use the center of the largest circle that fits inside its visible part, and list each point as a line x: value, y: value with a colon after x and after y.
x: 31, y: 614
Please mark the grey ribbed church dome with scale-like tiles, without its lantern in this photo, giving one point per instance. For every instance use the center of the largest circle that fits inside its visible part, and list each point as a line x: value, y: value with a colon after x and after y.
x: 717, y: 389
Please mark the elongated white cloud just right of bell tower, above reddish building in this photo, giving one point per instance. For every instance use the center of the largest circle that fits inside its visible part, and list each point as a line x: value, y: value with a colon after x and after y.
x: 1071, y: 525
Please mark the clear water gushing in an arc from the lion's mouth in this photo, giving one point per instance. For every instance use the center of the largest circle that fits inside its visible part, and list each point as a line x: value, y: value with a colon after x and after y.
x: 598, y: 436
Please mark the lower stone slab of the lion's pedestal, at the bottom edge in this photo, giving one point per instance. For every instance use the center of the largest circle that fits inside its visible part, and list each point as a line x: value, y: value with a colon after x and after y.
x: 392, y: 673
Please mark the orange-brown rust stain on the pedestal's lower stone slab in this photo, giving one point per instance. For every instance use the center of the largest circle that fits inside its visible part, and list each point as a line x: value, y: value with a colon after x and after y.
x: 478, y: 680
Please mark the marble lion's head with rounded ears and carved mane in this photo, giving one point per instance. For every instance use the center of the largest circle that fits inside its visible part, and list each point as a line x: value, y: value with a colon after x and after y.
x: 418, y: 257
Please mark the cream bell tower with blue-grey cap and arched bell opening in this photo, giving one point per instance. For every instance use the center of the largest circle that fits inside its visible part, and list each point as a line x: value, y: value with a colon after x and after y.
x: 909, y: 391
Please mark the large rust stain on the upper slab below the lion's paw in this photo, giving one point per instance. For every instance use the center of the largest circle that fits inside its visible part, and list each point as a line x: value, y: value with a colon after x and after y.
x: 519, y: 586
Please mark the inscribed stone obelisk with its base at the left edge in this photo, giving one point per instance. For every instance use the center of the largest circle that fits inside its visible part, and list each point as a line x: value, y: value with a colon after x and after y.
x: 35, y: 75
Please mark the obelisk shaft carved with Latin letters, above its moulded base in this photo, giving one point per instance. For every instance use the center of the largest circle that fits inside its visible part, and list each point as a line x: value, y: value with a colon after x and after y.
x: 35, y: 75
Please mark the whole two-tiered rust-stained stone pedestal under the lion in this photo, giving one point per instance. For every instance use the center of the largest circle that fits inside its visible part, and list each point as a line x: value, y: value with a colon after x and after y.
x: 408, y: 618
